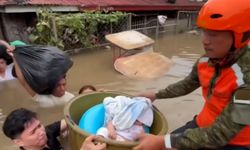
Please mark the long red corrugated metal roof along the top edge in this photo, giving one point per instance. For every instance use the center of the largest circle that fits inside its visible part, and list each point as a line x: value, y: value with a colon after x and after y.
x: 115, y: 4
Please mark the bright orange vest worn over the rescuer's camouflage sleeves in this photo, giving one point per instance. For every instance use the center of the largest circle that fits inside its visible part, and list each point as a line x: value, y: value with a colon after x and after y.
x: 218, y: 96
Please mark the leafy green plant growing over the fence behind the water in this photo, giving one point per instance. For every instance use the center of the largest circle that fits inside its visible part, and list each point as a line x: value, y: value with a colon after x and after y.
x: 70, y: 31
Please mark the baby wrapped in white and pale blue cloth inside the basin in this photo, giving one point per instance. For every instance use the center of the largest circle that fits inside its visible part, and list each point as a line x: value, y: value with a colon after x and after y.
x: 125, y: 118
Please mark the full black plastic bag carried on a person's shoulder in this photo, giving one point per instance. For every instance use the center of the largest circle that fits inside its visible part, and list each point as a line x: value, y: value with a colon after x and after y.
x: 42, y: 66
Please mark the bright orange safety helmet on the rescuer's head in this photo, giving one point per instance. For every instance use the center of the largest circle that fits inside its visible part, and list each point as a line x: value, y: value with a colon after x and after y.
x: 232, y: 15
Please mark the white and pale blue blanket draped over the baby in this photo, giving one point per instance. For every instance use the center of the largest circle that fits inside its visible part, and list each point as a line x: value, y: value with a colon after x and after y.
x: 124, y: 111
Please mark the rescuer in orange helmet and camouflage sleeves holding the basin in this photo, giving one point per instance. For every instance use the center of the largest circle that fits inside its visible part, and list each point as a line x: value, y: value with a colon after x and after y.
x: 223, y: 74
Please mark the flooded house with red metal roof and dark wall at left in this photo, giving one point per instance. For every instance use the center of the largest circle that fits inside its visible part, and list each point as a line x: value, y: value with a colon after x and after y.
x: 17, y: 15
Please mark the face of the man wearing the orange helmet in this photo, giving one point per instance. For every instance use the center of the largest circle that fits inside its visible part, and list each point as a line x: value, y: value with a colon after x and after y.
x: 217, y: 43
